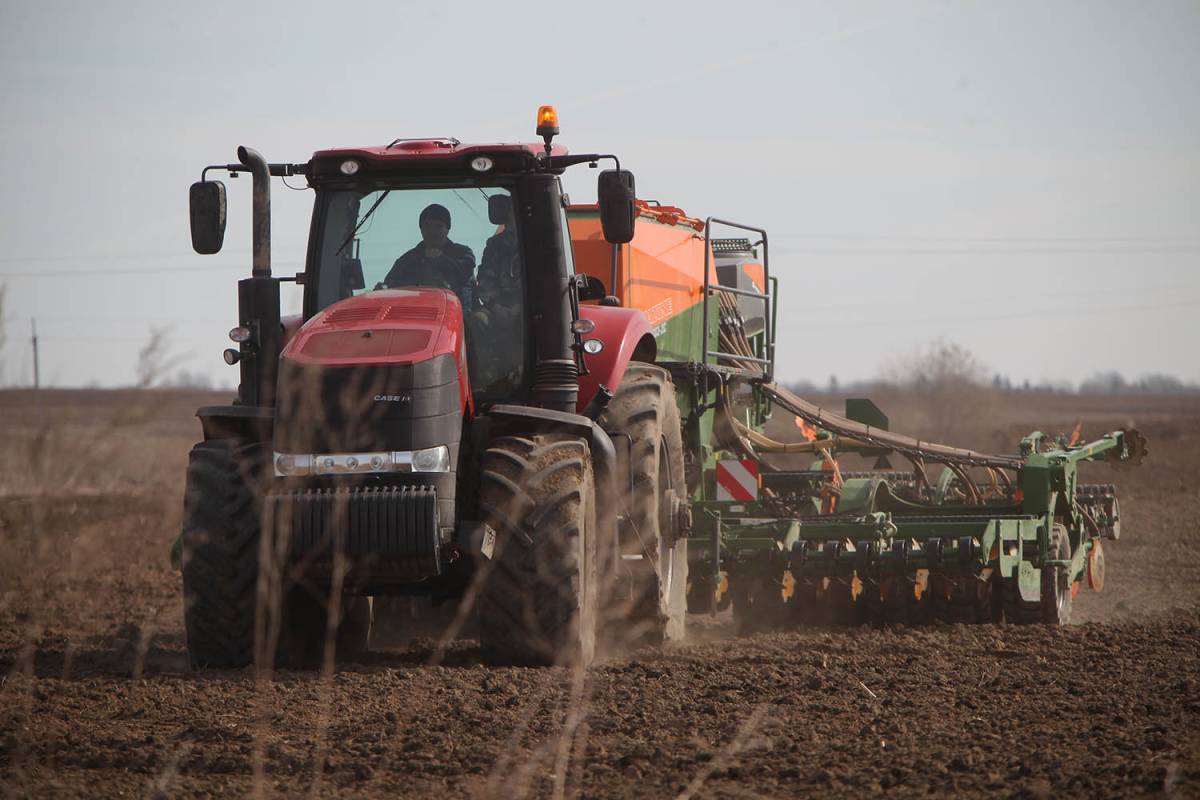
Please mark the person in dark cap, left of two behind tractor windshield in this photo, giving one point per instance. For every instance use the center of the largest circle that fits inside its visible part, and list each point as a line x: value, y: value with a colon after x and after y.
x: 436, y: 261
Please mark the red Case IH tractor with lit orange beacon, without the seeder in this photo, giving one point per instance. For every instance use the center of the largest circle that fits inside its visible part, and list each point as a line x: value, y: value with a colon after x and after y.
x: 433, y: 425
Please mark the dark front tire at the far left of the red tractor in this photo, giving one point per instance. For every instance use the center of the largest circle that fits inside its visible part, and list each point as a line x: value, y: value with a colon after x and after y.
x: 220, y: 554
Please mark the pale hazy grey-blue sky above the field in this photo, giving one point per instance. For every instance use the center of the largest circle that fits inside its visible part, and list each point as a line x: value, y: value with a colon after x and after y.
x: 1022, y: 179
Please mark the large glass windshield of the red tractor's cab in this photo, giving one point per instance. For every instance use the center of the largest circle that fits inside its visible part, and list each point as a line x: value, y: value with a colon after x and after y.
x: 387, y: 239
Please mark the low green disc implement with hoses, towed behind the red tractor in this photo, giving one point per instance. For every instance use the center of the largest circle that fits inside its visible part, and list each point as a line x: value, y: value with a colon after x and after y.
x: 902, y: 550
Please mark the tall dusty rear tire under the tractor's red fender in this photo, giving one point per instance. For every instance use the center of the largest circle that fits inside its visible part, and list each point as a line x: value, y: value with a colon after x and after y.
x: 644, y: 423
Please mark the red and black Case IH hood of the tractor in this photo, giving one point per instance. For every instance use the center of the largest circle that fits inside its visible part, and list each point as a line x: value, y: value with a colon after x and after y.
x: 385, y: 372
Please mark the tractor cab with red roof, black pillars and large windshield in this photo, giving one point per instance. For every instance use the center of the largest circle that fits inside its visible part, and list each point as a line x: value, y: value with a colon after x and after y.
x: 435, y: 215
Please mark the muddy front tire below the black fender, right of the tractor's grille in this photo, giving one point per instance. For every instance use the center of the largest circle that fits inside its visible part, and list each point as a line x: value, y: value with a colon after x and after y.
x: 538, y: 601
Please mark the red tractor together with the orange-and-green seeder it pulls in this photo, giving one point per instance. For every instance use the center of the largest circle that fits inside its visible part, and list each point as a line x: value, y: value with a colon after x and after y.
x: 550, y: 420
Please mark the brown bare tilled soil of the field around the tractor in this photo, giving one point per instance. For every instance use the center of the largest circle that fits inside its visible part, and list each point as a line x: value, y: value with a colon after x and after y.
x: 97, y: 699
